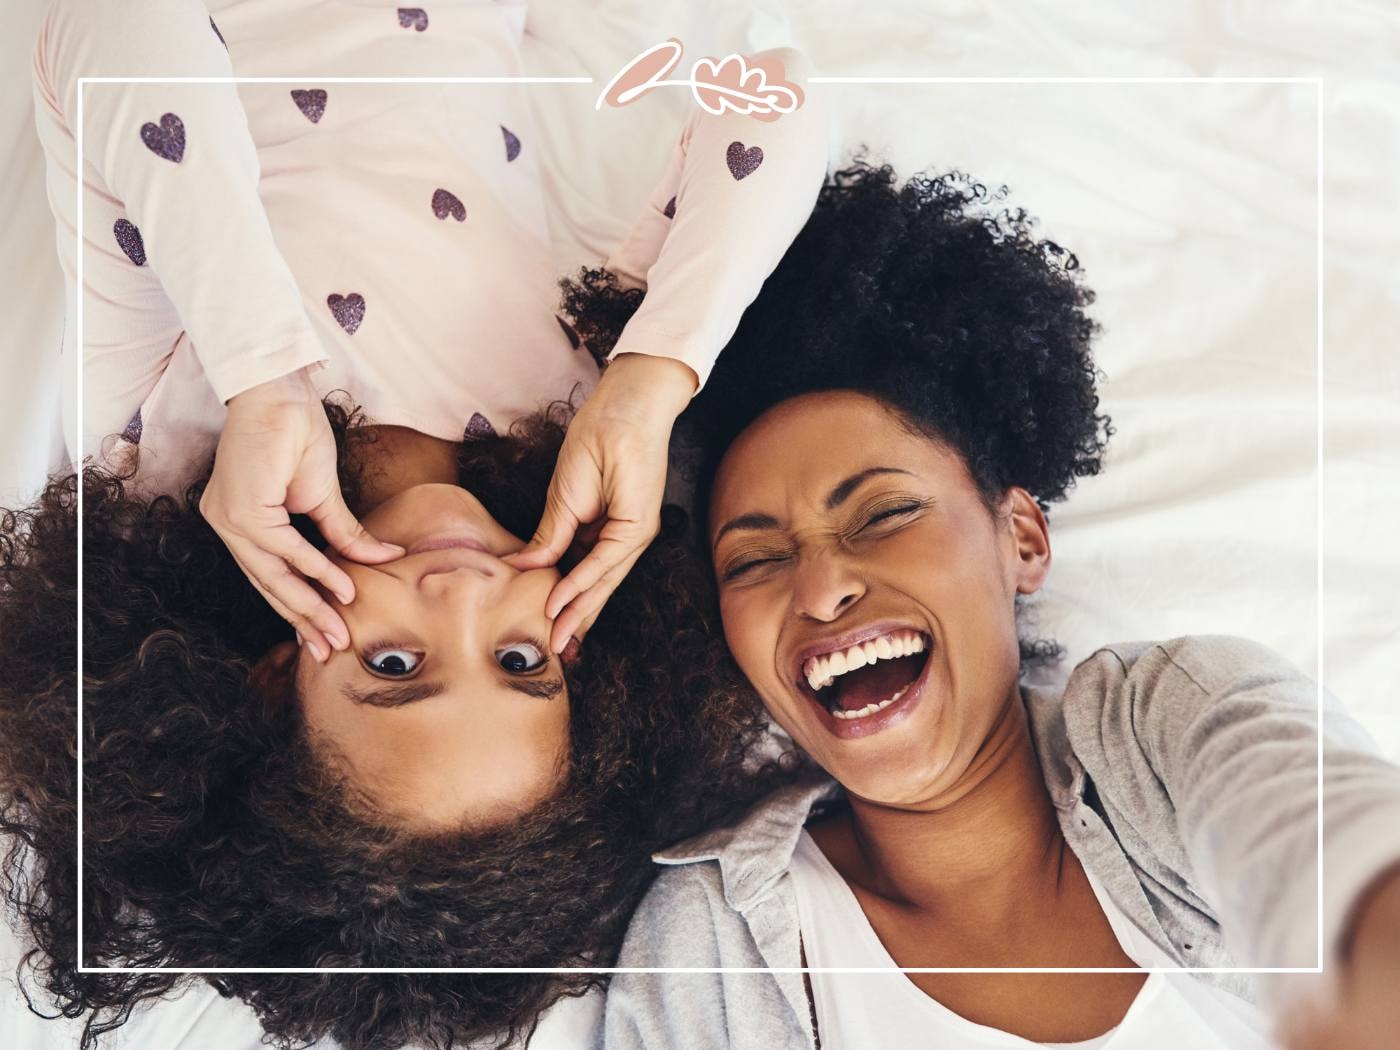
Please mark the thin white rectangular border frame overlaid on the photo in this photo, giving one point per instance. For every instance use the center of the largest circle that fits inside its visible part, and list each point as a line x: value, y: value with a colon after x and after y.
x: 1315, y: 82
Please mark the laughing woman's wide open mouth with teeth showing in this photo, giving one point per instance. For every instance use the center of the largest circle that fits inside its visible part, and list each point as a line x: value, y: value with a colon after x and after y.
x: 869, y: 685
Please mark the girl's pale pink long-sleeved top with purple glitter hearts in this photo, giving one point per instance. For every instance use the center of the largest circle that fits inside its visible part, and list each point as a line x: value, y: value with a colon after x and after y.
x: 391, y: 236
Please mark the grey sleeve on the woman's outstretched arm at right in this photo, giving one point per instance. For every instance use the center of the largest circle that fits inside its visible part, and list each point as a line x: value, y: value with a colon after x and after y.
x: 1226, y: 731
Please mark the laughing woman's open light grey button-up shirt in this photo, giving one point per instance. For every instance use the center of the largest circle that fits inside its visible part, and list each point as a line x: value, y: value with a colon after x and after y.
x: 1185, y: 778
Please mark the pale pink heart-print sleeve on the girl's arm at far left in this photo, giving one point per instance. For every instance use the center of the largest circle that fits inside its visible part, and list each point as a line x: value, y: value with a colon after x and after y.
x: 181, y: 162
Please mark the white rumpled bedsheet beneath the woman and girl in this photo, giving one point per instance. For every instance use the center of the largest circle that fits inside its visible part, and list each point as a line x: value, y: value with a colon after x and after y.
x: 1192, y: 209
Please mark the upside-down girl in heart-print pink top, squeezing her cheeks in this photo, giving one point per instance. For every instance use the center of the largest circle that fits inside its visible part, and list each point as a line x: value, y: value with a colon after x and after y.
x: 428, y: 780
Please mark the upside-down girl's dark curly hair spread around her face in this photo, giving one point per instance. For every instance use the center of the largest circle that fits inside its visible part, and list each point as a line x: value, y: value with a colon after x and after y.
x: 216, y: 836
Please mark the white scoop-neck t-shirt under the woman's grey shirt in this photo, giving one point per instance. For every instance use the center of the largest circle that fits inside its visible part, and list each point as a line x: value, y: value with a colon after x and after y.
x: 880, y: 1010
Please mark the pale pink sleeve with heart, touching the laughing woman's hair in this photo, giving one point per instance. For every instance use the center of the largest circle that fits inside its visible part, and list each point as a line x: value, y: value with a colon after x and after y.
x: 736, y: 194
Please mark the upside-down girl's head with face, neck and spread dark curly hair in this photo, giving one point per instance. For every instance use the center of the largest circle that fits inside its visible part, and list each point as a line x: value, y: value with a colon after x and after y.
x: 248, y: 806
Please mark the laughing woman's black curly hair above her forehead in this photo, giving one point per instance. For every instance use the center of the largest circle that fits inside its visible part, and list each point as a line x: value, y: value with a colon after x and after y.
x: 926, y: 297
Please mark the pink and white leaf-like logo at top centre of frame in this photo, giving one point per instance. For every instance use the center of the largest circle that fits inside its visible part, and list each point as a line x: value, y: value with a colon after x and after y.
x: 754, y: 87
